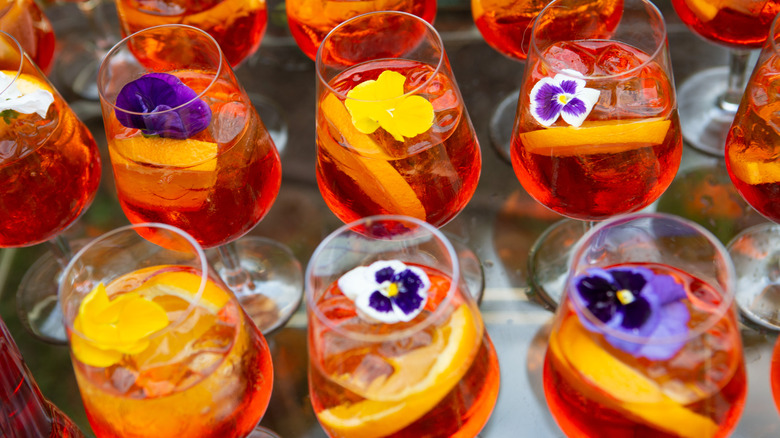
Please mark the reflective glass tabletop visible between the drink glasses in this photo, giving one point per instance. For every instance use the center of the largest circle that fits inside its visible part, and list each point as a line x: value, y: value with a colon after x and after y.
x: 500, y: 223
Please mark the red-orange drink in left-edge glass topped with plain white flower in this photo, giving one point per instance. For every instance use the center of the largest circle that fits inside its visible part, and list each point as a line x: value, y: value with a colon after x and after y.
x: 49, y: 174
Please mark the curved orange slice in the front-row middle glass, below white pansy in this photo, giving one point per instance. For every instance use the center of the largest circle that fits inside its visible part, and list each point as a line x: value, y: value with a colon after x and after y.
x: 406, y: 395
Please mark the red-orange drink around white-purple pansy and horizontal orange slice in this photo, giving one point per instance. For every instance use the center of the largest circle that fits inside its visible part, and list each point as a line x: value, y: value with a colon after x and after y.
x: 588, y: 181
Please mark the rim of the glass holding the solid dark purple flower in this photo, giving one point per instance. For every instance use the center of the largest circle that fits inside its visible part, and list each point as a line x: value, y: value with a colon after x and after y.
x: 124, y: 43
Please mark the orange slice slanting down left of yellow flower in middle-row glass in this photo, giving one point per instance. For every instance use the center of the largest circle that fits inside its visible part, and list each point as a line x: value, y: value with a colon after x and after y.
x: 370, y: 167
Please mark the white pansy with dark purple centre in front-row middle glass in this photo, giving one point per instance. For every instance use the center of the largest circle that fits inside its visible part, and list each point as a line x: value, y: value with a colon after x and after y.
x: 387, y: 291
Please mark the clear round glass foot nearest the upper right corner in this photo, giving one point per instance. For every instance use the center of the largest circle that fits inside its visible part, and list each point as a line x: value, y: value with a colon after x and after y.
x: 705, y: 124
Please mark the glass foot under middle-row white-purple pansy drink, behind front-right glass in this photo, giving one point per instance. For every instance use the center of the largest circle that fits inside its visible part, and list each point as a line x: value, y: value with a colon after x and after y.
x: 548, y: 264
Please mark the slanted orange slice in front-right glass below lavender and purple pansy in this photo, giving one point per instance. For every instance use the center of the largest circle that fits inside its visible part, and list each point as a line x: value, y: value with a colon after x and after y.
x: 630, y: 390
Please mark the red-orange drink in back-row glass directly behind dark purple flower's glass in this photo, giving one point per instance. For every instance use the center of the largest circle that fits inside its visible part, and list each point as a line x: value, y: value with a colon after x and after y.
x: 237, y: 25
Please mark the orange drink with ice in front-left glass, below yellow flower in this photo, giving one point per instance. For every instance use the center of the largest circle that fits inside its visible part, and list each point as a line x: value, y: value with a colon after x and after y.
x: 213, y: 384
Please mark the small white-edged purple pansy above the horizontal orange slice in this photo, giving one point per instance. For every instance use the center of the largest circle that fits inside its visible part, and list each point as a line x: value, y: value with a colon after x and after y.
x: 564, y: 95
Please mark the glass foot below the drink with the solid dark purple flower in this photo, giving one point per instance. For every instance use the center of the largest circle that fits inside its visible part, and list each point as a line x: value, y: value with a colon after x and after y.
x: 275, y: 287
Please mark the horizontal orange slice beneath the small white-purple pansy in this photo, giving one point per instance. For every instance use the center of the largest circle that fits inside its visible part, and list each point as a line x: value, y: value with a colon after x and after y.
x: 601, y: 137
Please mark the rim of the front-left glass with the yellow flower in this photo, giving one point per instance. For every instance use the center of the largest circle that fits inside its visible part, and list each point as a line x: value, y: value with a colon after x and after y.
x: 199, y: 252
